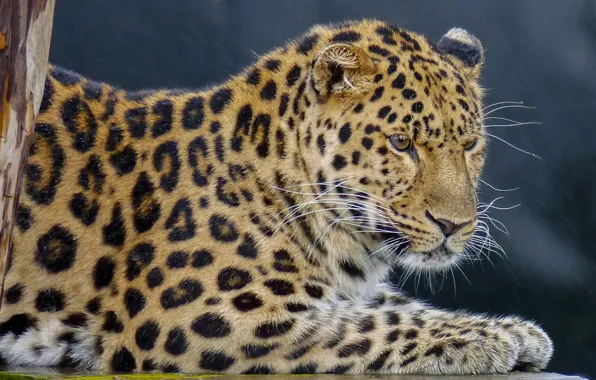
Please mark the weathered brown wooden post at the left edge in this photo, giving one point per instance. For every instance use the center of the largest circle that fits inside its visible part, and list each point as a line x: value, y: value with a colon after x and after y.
x: 25, y: 33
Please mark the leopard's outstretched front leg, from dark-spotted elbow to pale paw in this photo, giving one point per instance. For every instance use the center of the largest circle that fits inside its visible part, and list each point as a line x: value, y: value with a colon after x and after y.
x: 261, y: 322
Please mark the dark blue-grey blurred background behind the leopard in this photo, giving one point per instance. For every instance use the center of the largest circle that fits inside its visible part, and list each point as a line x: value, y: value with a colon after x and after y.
x: 541, y: 52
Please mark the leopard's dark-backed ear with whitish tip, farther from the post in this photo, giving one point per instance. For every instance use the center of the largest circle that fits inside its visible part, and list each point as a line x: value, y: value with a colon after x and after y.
x: 465, y: 48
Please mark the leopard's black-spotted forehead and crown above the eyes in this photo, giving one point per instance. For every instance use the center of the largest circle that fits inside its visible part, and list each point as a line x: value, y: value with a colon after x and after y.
x: 417, y: 90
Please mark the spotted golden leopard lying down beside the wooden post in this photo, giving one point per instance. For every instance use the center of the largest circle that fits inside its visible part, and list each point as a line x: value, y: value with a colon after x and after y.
x: 251, y: 227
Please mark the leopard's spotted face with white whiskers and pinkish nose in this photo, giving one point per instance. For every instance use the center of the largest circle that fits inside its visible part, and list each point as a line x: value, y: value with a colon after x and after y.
x: 403, y: 138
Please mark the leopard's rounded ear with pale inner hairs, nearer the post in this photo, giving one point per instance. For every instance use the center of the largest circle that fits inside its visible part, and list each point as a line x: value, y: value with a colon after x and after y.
x: 340, y: 69
